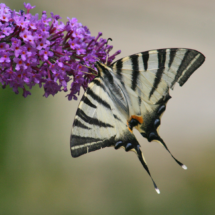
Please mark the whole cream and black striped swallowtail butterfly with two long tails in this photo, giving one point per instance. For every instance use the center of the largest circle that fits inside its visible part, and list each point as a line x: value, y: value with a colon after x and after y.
x: 130, y: 93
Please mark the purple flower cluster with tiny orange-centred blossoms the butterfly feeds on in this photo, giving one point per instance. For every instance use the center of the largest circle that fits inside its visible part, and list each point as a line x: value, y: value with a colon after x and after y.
x: 47, y: 52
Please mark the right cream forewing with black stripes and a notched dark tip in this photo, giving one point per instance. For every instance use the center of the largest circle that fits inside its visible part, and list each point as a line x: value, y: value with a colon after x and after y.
x: 150, y: 74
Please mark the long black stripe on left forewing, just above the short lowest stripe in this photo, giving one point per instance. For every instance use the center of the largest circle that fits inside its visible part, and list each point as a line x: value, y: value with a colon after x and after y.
x: 91, y: 121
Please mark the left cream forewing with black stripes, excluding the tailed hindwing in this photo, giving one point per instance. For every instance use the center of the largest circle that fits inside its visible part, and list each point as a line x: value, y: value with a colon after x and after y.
x: 90, y: 129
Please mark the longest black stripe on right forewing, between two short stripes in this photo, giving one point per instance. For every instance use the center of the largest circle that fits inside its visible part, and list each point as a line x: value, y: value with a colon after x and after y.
x: 161, y: 66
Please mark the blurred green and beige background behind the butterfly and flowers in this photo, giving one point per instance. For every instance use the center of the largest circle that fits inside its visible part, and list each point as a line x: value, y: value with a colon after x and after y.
x: 37, y: 174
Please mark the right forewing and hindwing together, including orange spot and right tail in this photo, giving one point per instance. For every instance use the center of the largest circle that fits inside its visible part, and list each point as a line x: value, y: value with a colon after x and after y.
x: 147, y: 77
